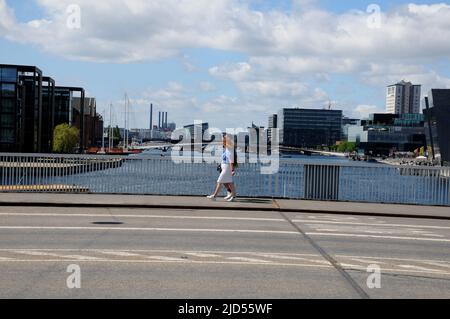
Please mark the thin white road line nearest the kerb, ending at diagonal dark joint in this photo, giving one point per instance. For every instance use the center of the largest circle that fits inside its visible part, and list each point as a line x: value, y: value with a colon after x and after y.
x: 146, y: 216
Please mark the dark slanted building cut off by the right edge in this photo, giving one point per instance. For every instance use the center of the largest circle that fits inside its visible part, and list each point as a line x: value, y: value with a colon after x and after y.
x: 437, y: 124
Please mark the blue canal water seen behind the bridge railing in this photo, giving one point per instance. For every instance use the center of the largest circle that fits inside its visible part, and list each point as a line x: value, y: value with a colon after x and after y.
x: 156, y: 174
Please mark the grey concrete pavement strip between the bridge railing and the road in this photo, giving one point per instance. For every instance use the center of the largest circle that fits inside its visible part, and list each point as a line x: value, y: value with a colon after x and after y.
x: 246, y: 204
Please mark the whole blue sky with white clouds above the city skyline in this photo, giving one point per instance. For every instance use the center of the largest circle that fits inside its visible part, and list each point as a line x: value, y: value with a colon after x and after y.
x: 230, y: 78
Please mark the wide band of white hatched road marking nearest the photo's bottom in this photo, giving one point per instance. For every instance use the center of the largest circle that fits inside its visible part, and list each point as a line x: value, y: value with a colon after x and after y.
x: 230, y: 258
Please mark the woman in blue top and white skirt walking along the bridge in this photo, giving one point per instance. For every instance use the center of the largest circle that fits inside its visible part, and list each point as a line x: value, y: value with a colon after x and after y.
x: 227, y: 171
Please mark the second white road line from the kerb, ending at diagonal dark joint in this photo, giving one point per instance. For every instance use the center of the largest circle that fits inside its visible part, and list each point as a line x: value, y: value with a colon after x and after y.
x: 255, y: 231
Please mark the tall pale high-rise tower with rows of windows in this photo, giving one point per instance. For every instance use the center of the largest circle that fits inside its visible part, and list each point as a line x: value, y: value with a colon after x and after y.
x: 403, y: 98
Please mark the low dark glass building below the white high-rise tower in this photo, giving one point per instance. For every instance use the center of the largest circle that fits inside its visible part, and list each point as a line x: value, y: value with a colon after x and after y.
x: 383, y: 134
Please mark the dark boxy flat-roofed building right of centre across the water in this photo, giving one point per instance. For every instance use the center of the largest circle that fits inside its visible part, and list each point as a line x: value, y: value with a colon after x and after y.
x: 309, y: 128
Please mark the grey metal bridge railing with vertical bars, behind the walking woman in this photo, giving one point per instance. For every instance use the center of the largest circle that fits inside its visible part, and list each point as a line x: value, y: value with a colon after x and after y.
x: 296, y: 179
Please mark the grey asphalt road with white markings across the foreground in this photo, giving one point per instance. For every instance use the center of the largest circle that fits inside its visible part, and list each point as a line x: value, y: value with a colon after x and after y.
x: 154, y: 253
